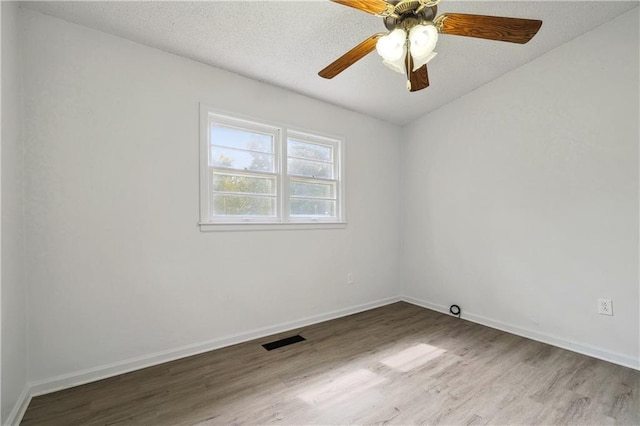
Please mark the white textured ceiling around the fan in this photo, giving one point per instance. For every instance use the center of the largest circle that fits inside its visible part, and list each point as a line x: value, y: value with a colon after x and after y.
x: 286, y: 43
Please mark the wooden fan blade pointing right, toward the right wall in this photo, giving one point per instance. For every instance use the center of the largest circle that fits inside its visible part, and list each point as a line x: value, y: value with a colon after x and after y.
x: 514, y: 30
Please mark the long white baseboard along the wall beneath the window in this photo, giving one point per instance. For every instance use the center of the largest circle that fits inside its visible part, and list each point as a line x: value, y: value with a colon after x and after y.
x: 117, y: 368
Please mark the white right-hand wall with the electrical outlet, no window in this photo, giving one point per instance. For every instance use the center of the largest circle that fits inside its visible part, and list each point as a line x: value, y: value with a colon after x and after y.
x: 520, y: 199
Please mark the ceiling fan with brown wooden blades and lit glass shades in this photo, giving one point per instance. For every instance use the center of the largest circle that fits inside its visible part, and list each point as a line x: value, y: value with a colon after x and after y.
x: 413, y: 33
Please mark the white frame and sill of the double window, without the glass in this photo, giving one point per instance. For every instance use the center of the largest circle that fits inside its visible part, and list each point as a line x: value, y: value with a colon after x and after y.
x: 281, y: 135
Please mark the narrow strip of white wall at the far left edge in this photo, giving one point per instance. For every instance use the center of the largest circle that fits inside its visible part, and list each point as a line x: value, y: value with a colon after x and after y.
x: 13, y: 287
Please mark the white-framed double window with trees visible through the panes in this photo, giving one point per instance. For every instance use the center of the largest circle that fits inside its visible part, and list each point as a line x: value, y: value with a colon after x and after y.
x: 256, y: 173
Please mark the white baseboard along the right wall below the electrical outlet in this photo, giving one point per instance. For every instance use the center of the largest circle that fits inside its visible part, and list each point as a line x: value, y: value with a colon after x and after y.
x: 585, y: 349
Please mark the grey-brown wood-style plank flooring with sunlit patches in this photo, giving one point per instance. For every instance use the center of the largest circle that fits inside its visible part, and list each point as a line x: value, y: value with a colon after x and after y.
x: 399, y: 364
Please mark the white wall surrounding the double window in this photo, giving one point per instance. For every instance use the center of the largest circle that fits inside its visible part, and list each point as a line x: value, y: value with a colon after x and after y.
x: 118, y: 267
